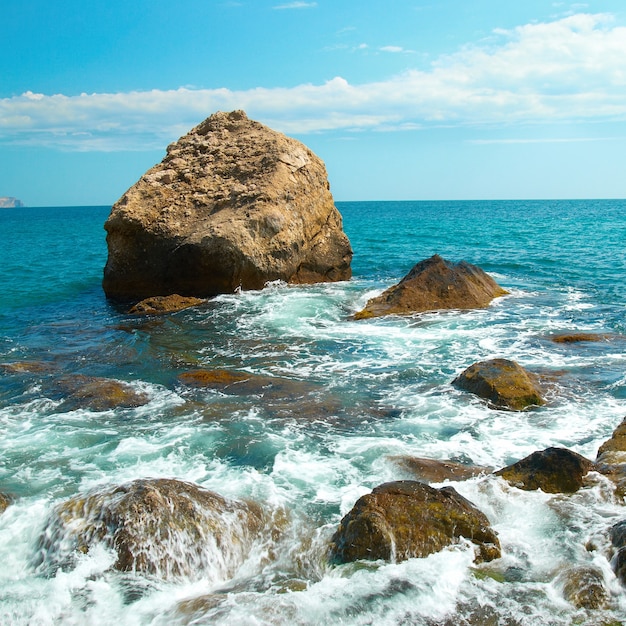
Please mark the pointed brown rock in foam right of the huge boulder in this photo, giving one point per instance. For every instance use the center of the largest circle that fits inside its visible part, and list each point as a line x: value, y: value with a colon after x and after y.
x: 435, y: 284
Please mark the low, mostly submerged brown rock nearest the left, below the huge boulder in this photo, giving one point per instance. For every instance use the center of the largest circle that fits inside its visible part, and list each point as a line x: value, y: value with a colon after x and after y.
x: 99, y: 394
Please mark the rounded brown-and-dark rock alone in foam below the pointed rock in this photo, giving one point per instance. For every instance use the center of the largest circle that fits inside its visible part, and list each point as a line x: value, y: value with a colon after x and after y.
x: 504, y: 383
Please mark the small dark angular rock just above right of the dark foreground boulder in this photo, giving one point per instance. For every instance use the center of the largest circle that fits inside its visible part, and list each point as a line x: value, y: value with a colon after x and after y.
x: 553, y: 470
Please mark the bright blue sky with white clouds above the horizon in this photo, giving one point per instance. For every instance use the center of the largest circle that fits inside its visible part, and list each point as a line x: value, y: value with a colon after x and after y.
x: 402, y: 99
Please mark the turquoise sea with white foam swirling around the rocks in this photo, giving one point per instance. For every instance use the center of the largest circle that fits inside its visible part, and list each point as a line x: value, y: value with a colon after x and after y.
x: 351, y: 400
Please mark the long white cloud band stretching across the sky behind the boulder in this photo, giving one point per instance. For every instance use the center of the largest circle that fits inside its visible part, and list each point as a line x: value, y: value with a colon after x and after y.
x: 568, y: 70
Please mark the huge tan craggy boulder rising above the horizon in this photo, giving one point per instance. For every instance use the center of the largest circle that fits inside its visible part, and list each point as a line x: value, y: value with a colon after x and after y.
x: 233, y: 205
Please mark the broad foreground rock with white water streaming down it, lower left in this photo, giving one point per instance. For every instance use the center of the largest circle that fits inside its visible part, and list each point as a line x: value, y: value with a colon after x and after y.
x: 164, y: 527
